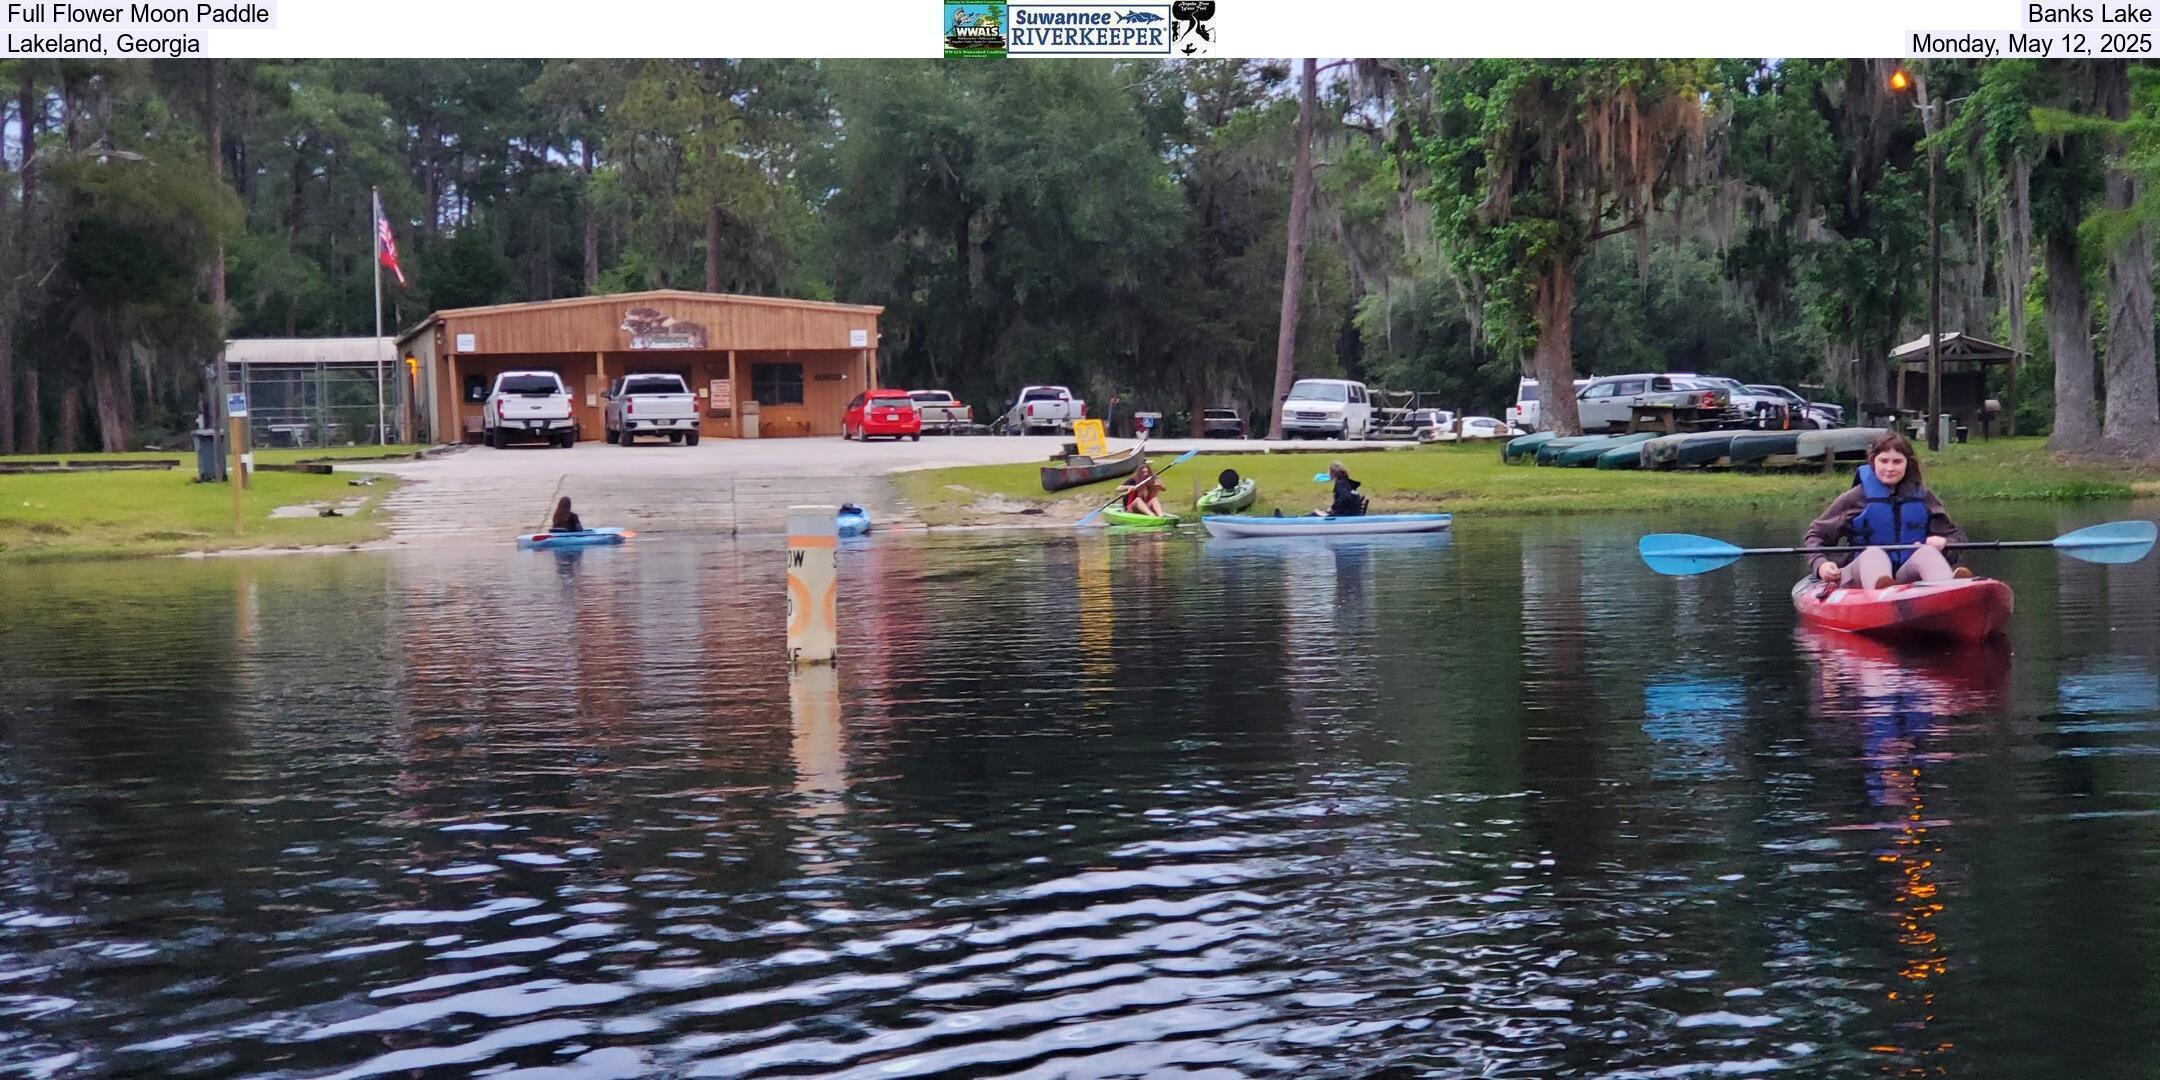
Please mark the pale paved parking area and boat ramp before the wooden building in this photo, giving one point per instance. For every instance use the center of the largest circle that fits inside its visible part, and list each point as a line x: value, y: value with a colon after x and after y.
x: 725, y: 485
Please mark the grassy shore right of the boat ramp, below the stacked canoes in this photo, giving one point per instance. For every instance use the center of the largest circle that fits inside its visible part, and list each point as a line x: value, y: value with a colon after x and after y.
x: 1474, y: 478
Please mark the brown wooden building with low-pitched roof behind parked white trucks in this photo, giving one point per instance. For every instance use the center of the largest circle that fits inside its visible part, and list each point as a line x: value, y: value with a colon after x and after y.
x: 794, y: 364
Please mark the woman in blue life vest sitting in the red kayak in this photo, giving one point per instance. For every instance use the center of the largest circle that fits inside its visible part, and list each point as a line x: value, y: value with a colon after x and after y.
x: 1887, y: 507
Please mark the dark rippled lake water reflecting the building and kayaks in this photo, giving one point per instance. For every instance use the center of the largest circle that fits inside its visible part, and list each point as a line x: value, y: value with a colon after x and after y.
x: 1496, y: 805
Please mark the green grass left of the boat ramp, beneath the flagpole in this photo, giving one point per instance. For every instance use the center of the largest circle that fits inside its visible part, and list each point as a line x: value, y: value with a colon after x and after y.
x: 167, y: 513
